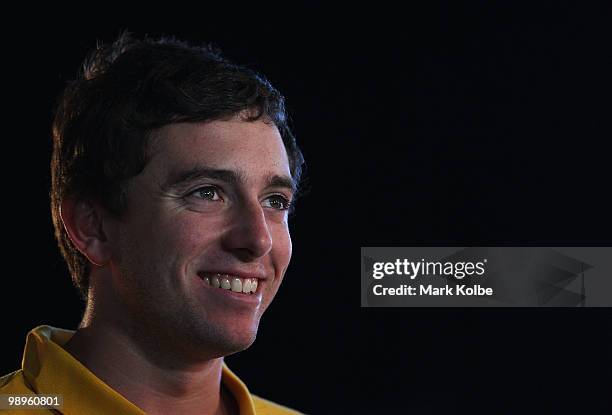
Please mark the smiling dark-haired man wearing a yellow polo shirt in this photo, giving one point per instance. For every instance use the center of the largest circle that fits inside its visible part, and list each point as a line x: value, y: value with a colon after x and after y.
x: 173, y: 174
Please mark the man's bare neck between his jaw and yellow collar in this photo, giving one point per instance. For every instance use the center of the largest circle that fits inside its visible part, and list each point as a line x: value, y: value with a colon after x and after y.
x: 147, y: 378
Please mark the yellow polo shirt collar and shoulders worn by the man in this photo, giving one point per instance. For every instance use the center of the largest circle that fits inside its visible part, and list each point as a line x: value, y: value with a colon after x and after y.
x: 48, y: 369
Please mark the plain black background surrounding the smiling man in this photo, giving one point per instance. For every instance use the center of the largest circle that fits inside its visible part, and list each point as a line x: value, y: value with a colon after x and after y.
x: 450, y: 125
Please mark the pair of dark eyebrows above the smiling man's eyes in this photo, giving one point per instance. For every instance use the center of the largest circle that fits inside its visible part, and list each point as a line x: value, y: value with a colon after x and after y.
x: 182, y: 177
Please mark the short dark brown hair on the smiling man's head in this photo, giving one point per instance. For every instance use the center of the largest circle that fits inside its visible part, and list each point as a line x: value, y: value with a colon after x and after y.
x: 126, y: 90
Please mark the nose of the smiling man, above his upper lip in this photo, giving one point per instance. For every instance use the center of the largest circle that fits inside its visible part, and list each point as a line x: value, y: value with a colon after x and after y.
x: 249, y: 236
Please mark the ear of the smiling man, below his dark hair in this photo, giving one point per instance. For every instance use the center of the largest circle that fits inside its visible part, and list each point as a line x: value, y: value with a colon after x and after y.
x: 85, y: 225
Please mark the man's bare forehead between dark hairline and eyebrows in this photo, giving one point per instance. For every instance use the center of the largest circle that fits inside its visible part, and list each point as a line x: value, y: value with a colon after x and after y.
x: 249, y: 147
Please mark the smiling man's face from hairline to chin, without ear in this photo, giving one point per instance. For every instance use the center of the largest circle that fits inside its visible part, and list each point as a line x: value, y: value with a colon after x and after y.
x: 210, y: 205
